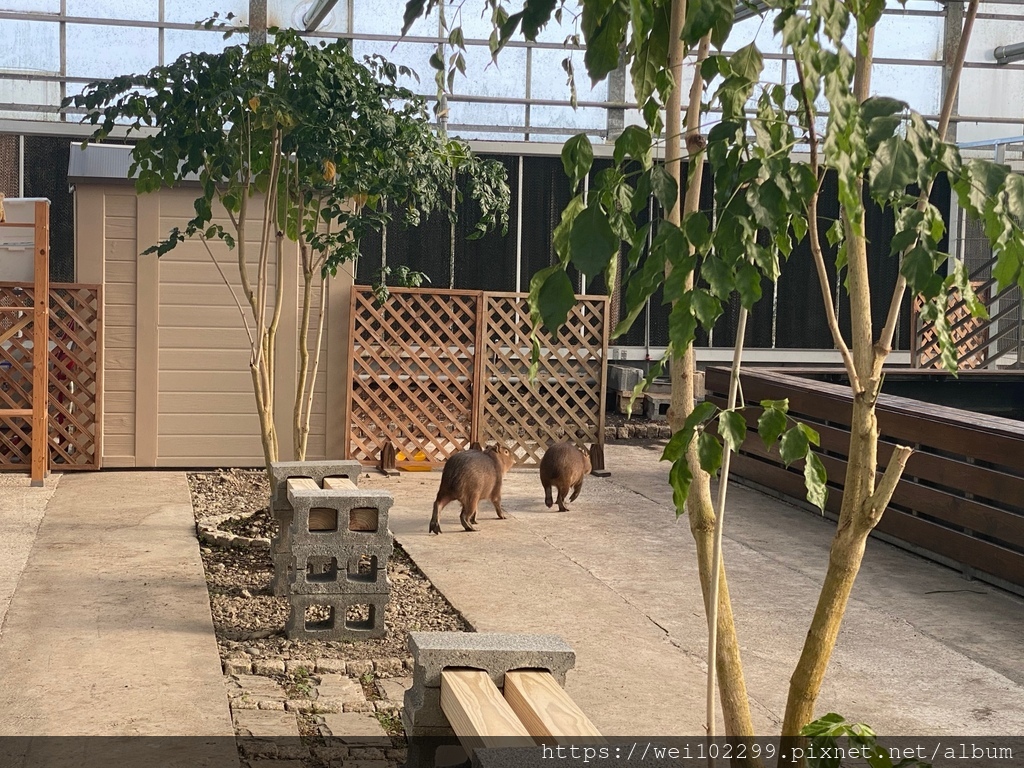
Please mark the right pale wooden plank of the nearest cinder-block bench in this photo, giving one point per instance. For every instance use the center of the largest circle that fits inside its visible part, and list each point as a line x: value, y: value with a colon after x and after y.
x: 546, y: 710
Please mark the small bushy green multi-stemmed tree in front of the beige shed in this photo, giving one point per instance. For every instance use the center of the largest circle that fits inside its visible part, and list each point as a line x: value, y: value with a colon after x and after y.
x: 322, y: 147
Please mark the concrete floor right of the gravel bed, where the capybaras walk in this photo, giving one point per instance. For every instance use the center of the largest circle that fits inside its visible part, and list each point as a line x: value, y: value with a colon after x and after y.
x: 923, y: 652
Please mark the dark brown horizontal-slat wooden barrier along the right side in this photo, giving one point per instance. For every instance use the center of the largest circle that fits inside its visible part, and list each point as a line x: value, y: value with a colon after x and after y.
x: 962, y: 497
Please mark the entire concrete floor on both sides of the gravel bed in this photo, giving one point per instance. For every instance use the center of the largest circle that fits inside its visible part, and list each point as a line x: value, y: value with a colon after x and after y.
x: 109, y: 628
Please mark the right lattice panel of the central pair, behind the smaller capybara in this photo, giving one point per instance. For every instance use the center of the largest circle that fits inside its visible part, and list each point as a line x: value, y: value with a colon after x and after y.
x: 566, y: 402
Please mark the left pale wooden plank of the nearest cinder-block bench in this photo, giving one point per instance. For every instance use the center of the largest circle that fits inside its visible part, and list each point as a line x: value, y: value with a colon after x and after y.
x: 479, y: 714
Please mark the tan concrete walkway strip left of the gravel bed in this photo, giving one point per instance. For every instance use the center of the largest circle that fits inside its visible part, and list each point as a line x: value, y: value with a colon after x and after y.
x: 109, y: 631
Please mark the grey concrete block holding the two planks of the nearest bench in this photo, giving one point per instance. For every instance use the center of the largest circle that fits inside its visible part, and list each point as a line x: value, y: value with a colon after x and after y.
x: 494, y: 653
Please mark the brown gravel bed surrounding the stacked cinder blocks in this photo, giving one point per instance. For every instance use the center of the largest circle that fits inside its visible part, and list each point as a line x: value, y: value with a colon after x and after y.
x: 248, y: 619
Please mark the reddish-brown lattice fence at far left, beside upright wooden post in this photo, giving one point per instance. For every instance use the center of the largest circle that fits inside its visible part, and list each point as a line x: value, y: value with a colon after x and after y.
x: 75, y: 347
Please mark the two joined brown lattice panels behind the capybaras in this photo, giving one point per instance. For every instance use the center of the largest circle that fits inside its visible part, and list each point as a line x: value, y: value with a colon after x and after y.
x: 418, y: 382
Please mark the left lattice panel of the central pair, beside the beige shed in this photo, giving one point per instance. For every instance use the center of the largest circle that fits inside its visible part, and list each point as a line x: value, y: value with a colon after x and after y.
x: 413, y: 368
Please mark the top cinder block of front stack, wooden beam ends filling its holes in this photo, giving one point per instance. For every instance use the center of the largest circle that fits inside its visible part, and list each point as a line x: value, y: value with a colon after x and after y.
x: 338, y: 517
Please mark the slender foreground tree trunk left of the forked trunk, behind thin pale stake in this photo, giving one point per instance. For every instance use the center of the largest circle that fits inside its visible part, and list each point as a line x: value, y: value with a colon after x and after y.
x: 736, y: 704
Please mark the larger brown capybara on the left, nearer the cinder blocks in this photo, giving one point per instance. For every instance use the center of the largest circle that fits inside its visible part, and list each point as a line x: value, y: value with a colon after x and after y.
x: 468, y: 478
